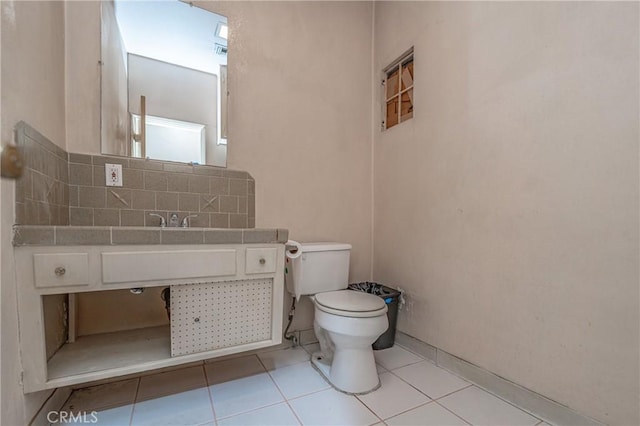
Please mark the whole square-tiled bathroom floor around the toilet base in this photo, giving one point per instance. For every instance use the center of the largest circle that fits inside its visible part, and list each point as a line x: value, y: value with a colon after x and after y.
x: 280, y: 387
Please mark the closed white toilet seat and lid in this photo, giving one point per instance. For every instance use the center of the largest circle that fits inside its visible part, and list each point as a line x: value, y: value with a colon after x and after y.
x: 349, y: 303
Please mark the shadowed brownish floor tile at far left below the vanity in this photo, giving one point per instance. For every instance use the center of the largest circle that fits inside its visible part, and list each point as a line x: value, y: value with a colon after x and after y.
x: 101, y: 397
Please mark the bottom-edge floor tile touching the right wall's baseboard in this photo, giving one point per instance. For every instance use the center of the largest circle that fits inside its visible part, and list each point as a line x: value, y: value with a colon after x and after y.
x: 479, y: 407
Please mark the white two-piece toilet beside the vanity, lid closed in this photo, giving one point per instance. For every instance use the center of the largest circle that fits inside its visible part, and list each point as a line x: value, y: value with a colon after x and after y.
x: 346, y: 322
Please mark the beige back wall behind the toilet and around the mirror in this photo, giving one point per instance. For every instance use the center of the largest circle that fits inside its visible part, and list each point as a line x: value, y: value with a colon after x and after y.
x: 299, y: 118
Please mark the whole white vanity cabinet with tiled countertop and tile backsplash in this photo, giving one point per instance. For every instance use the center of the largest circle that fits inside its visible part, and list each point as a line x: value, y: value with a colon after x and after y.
x: 80, y: 321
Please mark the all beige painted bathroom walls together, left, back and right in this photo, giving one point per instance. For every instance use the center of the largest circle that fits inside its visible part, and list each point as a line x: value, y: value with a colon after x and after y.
x: 507, y: 208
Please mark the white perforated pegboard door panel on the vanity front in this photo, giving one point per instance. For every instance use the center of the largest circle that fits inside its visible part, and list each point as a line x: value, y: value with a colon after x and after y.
x: 210, y: 316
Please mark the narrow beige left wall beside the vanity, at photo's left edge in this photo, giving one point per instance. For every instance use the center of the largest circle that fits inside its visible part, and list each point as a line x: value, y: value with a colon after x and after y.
x: 32, y: 41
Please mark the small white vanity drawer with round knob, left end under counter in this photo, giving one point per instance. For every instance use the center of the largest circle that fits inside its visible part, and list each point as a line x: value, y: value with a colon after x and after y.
x: 59, y: 270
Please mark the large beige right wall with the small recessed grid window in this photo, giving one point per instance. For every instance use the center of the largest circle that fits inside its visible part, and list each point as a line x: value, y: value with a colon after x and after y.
x: 508, y: 207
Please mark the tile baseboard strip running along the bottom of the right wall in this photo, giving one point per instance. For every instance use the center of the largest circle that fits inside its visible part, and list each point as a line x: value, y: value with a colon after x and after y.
x: 528, y: 400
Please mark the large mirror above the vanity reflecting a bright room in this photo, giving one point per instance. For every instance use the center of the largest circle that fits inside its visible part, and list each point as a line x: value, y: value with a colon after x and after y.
x: 164, y: 70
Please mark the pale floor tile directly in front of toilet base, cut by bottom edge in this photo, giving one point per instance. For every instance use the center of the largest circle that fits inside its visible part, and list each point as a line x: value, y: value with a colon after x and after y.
x: 330, y: 407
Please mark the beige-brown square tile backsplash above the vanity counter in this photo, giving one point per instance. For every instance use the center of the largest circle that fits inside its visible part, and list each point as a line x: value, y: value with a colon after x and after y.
x: 69, y: 189
